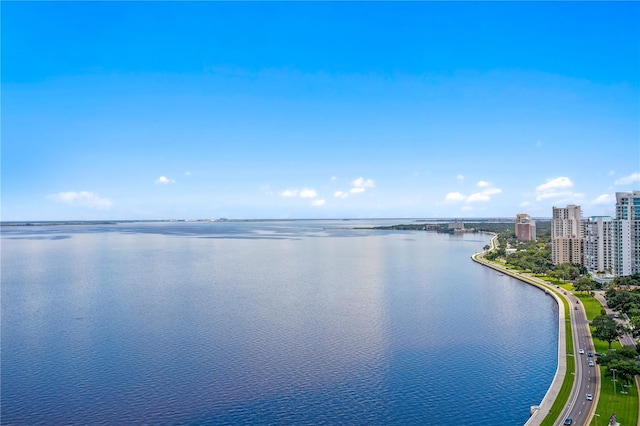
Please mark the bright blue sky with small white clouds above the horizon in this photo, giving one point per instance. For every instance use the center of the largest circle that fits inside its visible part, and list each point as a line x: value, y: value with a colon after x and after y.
x: 163, y: 110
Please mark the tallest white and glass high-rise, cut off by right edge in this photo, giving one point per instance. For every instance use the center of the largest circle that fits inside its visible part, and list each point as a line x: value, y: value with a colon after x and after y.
x: 626, y: 234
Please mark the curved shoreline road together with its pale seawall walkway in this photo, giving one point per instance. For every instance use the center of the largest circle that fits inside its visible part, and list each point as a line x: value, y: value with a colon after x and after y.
x: 587, y: 377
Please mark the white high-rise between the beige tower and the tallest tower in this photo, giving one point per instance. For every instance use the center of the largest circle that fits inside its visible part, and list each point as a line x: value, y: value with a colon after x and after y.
x: 597, y: 244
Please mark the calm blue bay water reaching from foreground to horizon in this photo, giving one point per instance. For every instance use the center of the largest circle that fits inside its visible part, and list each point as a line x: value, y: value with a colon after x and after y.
x: 300, y: 322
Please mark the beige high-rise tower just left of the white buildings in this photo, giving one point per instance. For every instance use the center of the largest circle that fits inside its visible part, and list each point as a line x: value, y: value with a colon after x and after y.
x: 567, y: 240
